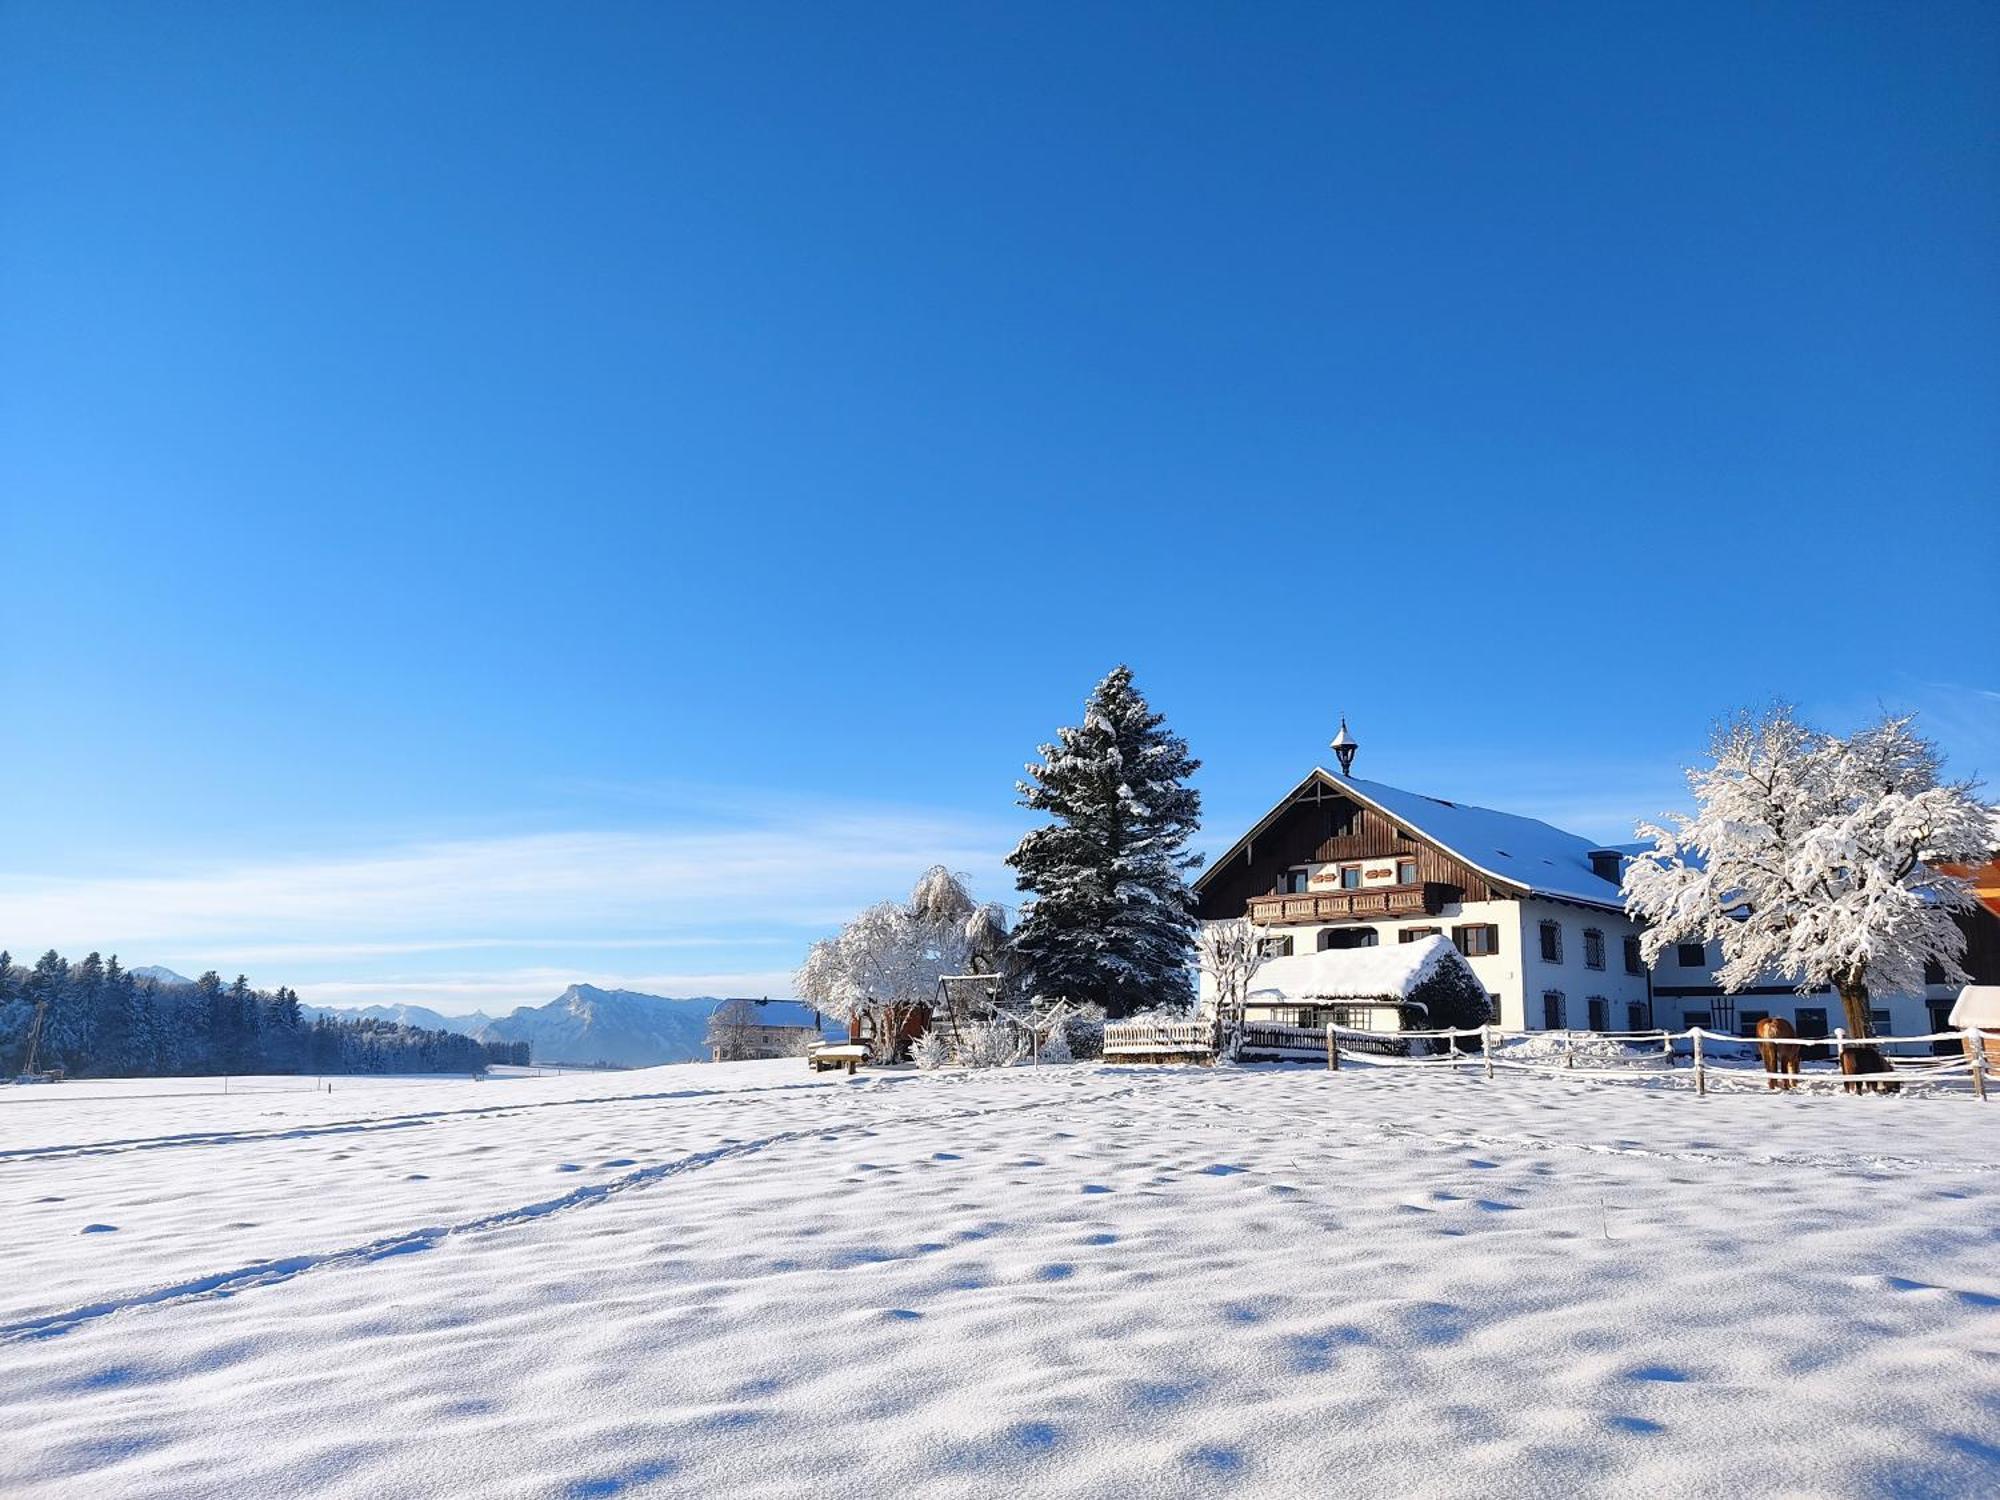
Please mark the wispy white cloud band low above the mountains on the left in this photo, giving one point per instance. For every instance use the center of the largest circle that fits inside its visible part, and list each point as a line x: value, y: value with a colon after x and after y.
x: 411, y: 921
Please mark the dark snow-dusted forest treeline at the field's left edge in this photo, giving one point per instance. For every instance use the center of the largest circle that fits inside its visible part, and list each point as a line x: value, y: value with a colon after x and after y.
x: 103, y: 1021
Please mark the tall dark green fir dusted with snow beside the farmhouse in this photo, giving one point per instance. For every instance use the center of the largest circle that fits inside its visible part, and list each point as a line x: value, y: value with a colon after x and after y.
x: 1111, y: 921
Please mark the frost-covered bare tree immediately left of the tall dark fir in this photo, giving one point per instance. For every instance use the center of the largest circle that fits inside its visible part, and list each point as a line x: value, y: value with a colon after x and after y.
x: 885, y: 965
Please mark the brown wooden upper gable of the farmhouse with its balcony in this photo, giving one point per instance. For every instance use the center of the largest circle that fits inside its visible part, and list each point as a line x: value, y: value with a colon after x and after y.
x: 1321, y: 827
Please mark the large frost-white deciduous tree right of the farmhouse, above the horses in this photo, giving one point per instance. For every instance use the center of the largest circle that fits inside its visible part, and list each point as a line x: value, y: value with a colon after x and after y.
x: 1815, y: 859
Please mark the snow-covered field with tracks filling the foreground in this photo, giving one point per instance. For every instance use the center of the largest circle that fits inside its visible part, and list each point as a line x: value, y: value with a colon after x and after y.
x: 741, y: 1281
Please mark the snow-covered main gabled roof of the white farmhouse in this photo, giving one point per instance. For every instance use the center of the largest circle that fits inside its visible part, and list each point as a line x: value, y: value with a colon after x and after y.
x: 1515, y: 851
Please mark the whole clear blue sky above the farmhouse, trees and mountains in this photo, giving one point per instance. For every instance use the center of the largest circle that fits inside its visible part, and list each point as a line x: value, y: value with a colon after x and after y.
x: 499, y: 495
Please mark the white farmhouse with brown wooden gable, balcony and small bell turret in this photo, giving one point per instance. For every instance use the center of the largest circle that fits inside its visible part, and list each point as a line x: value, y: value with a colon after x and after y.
x: 1341, y: 863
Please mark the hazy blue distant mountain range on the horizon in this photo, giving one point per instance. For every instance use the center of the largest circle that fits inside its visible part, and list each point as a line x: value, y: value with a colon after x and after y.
x: 583, y: 1025
